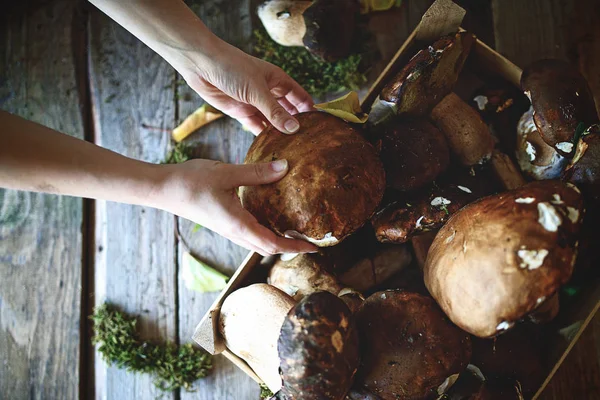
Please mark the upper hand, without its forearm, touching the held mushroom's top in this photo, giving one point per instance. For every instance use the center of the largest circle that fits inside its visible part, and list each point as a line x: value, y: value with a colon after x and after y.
x: 248, y: 89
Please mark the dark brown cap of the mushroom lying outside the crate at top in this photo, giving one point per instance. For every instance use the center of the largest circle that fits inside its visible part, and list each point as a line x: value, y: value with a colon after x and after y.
x: 330, y: 26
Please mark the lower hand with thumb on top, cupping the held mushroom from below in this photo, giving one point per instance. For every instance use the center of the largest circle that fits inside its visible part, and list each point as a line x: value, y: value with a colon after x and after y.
x: 204, y: 191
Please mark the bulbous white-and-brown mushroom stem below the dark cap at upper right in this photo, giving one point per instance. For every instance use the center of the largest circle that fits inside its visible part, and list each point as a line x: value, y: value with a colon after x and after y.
x: 536, y: 158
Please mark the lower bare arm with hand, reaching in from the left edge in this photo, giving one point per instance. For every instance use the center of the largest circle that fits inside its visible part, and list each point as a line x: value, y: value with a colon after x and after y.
x: 37, y: 158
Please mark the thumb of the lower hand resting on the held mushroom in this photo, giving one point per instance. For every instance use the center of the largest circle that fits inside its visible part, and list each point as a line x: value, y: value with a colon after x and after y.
x: 257, y: 174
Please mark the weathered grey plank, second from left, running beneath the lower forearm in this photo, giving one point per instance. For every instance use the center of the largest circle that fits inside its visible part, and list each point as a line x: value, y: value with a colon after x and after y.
x: 135, y: 246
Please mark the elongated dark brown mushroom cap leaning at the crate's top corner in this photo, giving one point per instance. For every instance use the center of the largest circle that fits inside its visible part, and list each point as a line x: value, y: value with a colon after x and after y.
x: 429, y: 76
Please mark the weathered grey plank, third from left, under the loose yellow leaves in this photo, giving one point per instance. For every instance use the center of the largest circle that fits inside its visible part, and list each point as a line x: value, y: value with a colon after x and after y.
x: 223, y: 140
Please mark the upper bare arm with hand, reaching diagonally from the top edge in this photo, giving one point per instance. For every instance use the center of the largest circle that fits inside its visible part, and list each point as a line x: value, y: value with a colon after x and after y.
x: 244, y: 87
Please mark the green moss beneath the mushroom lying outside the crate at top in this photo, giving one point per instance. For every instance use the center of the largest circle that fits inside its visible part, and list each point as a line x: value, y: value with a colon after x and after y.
x: 318, y: 77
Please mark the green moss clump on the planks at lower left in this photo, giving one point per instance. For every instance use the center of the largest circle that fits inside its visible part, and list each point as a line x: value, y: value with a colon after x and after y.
x: 173, y: 366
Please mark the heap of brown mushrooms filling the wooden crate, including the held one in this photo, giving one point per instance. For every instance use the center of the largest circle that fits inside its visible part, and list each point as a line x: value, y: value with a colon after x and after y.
x: 431, y: 240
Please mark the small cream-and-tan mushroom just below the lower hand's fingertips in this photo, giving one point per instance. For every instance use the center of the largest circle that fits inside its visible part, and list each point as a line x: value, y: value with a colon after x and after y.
x: 303, y: 275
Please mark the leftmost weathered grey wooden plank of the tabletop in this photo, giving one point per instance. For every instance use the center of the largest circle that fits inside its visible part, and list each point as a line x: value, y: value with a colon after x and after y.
x: 40, y: 235
